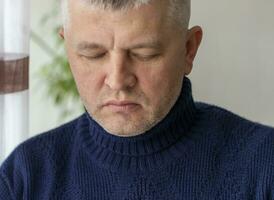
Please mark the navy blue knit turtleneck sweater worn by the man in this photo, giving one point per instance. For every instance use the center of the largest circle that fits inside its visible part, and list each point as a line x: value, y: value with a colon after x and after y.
x: 198, y: 151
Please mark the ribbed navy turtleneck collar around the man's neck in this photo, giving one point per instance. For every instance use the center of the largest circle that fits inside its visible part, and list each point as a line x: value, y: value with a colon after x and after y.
x: 139, y: 152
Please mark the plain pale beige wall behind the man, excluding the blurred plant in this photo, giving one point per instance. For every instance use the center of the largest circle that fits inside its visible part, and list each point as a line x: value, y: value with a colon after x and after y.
x: 234, y: 67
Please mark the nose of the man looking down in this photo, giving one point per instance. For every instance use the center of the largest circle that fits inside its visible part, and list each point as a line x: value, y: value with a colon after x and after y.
x: 120, y: 75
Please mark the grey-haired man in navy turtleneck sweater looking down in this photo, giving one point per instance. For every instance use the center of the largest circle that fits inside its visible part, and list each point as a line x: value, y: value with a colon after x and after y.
x: 142, y: 136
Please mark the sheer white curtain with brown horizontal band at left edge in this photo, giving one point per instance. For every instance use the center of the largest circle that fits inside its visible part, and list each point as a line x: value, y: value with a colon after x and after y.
x: 14, y: 45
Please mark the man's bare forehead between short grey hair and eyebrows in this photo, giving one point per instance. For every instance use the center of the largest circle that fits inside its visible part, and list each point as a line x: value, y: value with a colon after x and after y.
x: 95, y: 23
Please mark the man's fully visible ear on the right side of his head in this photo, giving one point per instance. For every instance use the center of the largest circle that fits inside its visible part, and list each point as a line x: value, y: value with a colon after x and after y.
x: 193, y: 41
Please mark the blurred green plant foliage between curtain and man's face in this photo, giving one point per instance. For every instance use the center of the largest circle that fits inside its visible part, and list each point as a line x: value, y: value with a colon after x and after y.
x: 56, y: 74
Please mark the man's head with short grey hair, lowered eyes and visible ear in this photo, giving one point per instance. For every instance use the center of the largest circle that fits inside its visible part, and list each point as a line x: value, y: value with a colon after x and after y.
x: 128, y: 61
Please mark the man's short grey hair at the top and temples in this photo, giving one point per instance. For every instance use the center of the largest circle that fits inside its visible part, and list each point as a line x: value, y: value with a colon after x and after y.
x: 179, y: 10
